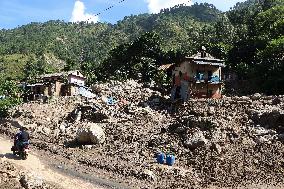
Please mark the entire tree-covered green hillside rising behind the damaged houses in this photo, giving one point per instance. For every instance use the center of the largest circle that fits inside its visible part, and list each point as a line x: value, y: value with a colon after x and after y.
x: 249, y: 37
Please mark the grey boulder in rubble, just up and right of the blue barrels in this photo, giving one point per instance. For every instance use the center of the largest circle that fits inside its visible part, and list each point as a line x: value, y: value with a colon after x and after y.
x: 196, y: 140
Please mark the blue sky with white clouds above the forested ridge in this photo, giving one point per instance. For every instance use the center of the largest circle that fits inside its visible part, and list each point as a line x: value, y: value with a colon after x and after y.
x: 14, y: 13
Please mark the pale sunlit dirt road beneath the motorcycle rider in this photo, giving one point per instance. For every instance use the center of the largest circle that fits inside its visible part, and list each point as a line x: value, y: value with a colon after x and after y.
x: 34, y: 165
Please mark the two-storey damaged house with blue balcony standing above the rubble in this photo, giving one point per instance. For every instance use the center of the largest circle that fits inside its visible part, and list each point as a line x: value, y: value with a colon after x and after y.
x: 198, y: 76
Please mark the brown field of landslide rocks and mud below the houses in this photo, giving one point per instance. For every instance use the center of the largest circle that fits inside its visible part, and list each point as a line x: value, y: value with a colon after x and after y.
x: 225, y: 143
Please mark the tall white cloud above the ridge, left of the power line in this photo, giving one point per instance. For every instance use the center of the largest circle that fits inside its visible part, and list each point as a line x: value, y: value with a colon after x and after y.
x: 79, y: 14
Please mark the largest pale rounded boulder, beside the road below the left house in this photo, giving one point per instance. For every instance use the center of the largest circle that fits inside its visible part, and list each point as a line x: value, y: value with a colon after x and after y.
x: 90, y: 133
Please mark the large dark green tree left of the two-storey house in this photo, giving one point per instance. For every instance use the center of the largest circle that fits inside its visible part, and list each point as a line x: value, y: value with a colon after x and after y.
x: 134, y: 60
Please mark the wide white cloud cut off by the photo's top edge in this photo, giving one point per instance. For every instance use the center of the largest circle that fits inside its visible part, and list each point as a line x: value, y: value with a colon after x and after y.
x: 154, y: 6
